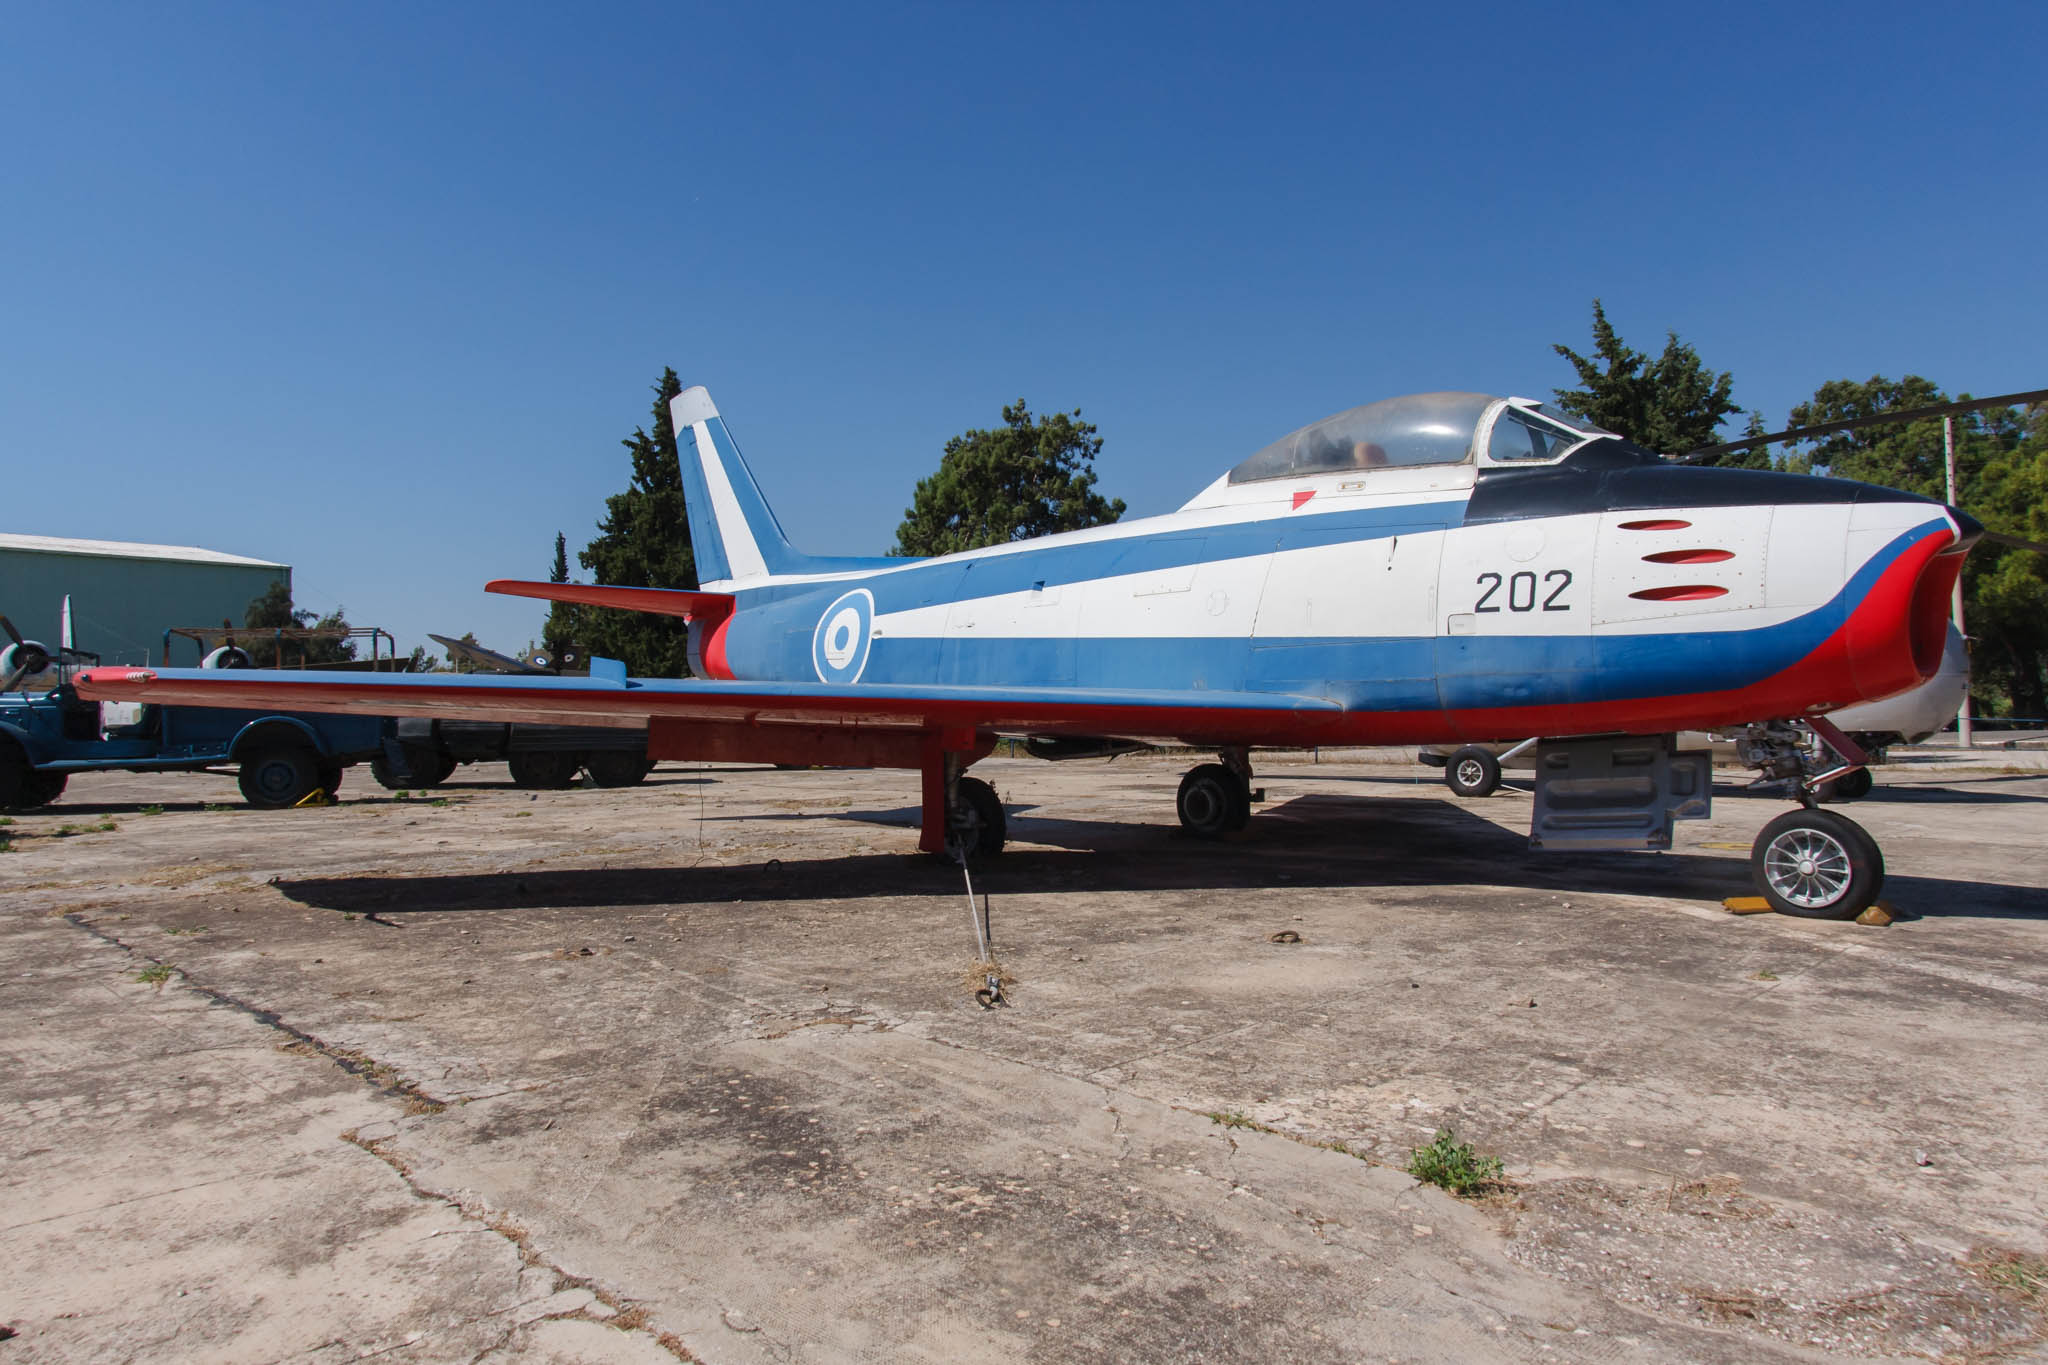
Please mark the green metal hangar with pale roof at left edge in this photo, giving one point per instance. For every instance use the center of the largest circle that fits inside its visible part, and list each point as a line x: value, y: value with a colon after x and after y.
x: 124, y: 597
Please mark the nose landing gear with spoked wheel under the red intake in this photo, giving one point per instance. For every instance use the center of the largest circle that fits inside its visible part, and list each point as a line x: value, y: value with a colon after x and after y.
x: 1811, y: 863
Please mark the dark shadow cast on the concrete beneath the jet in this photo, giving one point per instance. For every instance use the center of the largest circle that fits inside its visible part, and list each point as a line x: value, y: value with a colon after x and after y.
x: 1314, y: 842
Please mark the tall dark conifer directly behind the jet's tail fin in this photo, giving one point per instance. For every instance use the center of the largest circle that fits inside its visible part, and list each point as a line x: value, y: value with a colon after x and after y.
x: 644, y: 541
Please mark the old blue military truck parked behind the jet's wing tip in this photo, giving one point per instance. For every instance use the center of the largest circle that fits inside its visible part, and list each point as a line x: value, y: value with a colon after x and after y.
x: 48, y: 734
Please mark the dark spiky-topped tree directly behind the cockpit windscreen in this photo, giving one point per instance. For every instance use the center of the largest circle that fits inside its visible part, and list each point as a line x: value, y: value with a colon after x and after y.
x: 1670, y: 404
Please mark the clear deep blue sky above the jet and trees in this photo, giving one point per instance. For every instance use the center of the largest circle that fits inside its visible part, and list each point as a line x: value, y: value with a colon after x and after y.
x: 378, y: 290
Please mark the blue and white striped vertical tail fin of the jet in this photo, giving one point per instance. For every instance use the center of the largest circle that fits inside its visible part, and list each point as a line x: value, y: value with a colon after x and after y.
x: 732, y: 531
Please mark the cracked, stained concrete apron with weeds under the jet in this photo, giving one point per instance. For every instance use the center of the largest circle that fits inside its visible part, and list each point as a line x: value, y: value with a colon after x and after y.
x: 689, y: 1069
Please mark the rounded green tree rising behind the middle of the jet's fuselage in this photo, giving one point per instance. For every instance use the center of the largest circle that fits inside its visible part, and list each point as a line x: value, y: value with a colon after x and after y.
x: 1027, y: 478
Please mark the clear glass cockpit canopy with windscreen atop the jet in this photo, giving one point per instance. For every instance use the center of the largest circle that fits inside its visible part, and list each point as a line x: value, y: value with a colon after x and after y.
x: 1422, y: 429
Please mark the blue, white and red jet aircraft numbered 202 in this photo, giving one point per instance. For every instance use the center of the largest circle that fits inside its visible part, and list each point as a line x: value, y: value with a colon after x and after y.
x: 1439, y: 568
